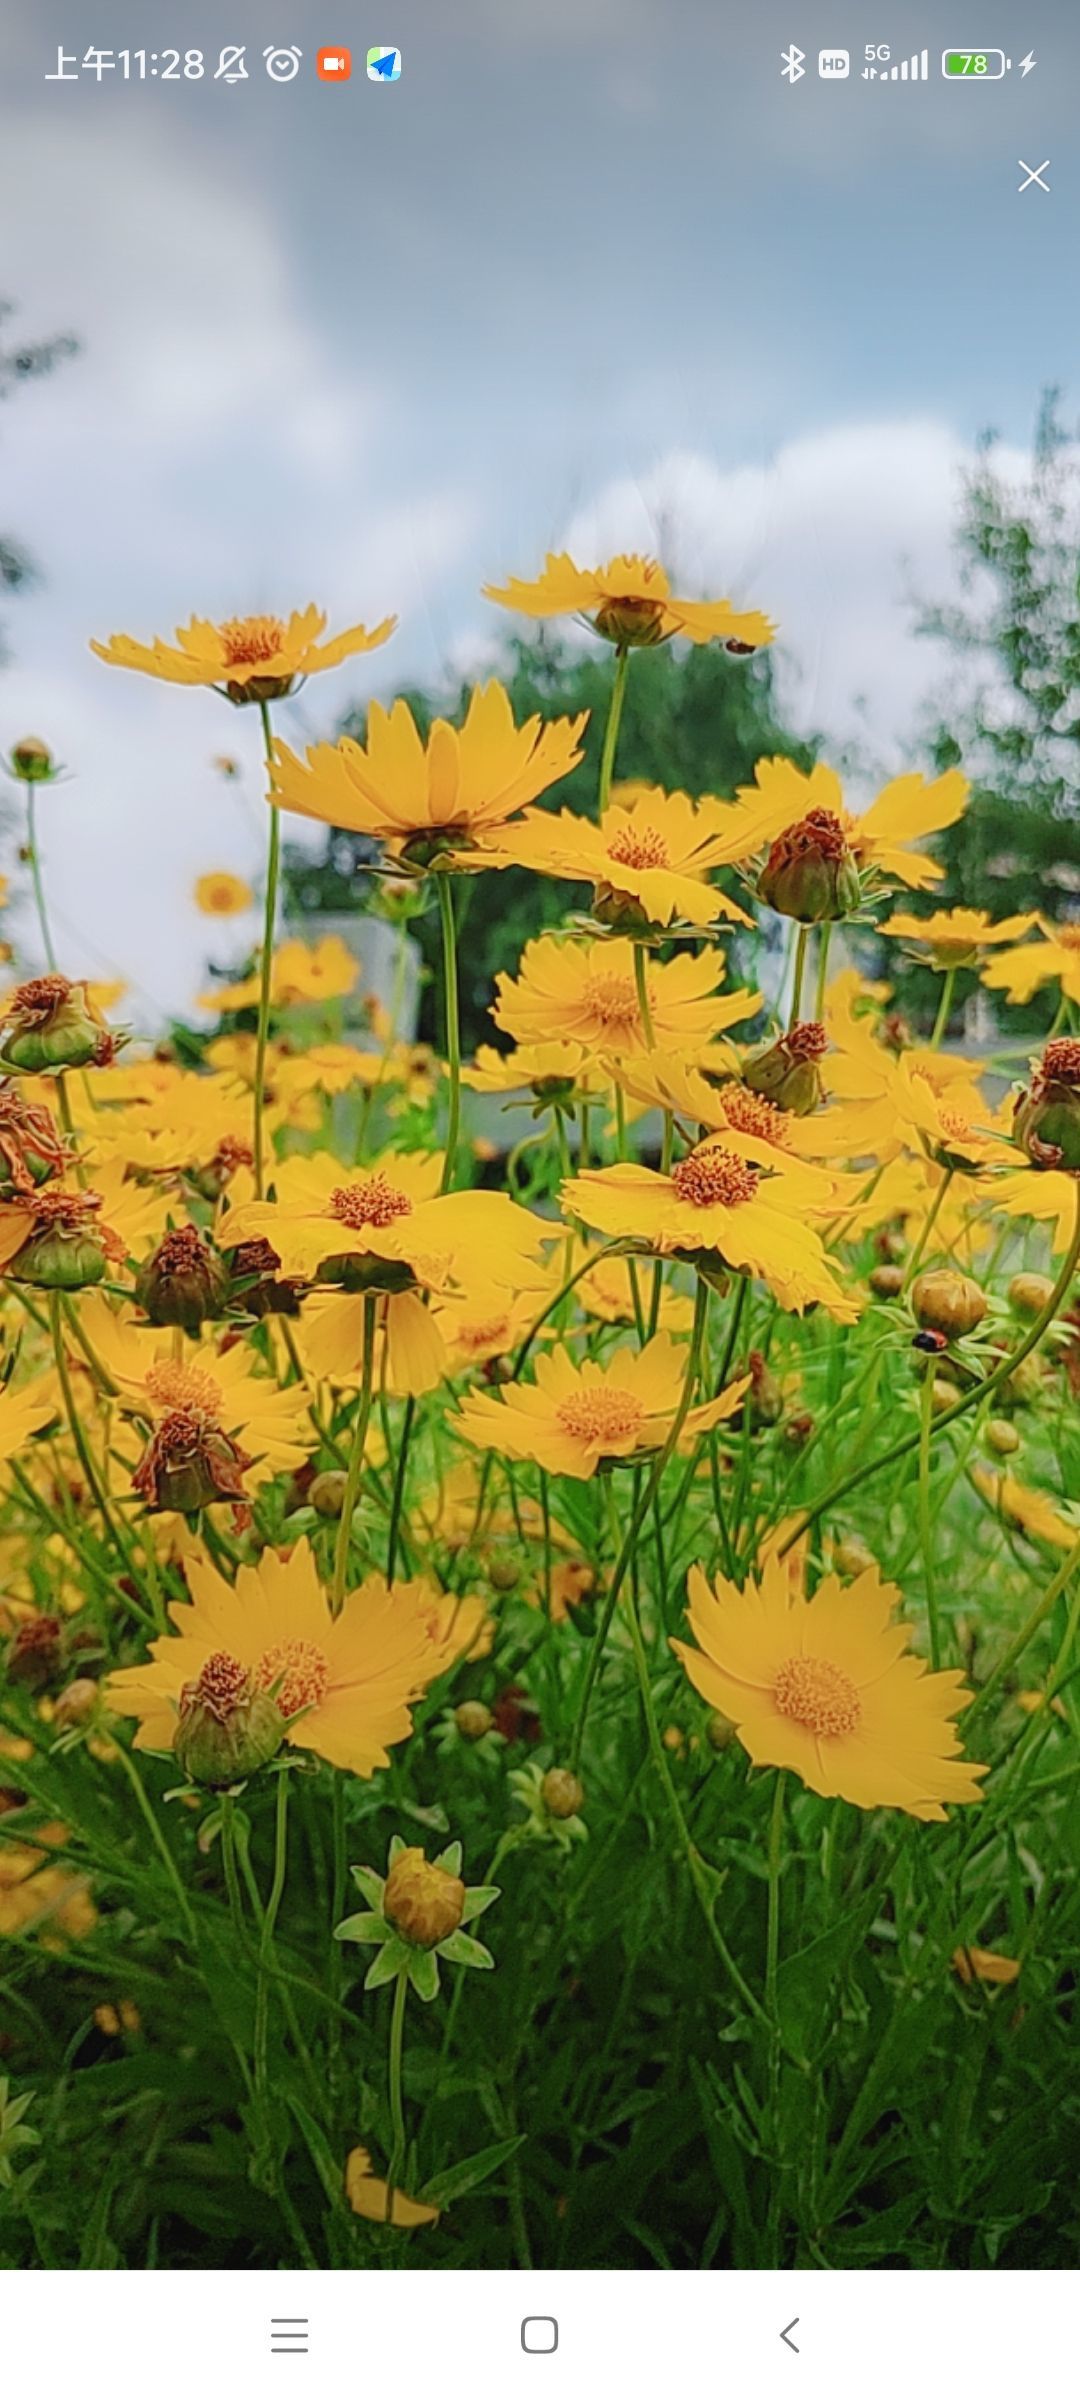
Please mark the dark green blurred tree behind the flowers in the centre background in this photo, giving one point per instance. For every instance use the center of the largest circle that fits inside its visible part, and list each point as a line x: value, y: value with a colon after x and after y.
x: 695, y: 721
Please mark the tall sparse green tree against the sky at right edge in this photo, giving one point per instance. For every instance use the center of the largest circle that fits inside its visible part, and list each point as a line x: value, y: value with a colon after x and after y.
x: 1012, y: 716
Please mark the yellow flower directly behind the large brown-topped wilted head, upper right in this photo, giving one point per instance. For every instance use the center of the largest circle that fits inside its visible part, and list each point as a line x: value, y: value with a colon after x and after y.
x: 784, y: 803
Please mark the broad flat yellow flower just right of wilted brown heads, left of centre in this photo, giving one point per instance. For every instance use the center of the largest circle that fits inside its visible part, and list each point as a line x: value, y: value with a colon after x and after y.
x: 388, y: 1228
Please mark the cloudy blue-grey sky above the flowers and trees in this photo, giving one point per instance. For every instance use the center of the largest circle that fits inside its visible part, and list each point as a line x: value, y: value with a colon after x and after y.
x: 575, y: 277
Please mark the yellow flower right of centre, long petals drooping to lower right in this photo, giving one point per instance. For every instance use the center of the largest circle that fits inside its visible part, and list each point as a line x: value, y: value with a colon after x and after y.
x: 728, y: 1204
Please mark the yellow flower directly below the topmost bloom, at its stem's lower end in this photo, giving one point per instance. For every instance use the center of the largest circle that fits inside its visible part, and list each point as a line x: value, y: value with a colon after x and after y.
x: 649, y: 858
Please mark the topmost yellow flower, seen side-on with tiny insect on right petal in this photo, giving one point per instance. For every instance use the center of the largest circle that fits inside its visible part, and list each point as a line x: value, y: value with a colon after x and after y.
x: 632, y: 604
